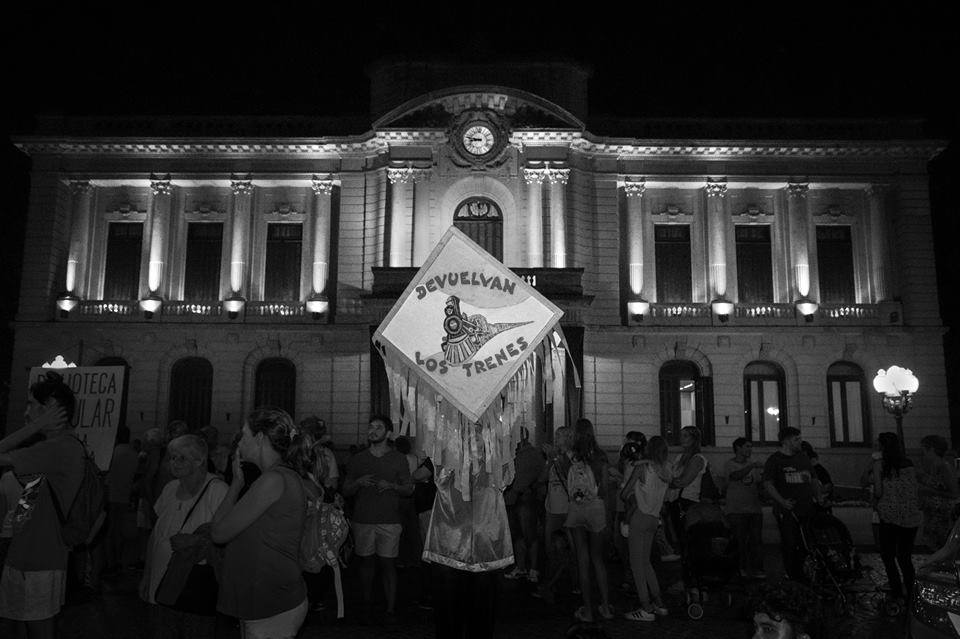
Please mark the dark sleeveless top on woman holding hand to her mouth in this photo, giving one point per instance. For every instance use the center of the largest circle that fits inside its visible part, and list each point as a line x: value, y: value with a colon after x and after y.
x: 261, y: 567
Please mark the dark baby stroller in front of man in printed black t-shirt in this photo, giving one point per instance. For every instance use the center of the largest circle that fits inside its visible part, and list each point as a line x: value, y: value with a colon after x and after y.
x: 833, y: 567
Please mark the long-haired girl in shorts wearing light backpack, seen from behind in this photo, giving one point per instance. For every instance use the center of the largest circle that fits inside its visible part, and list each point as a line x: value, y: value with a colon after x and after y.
x: 587, y: 517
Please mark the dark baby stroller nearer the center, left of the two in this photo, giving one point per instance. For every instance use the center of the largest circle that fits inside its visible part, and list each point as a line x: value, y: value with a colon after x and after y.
x: 710, y: 556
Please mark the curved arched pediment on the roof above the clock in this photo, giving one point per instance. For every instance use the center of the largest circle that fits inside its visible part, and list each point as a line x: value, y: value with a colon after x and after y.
x: 437, y: 109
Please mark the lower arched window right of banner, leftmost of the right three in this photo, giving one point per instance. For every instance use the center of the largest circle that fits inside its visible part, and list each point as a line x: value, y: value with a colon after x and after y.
x: 686, y: 399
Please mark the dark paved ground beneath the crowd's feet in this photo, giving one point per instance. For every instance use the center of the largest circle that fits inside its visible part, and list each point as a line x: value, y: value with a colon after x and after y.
x: 118, y: 613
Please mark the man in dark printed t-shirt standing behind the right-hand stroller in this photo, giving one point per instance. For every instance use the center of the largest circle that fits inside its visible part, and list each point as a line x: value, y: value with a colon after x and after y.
x: 788, y: 478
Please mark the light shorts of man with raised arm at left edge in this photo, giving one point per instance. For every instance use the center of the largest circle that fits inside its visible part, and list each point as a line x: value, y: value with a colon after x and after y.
x: 33, y: 595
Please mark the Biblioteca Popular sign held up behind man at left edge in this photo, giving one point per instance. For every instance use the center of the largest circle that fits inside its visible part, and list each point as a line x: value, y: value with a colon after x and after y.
x: 99, y: 394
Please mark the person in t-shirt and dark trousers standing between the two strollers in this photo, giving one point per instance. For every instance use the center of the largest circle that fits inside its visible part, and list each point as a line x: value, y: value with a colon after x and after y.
x: 743, y: 506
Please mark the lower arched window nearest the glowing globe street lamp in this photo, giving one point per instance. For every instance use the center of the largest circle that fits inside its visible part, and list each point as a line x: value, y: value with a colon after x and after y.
x: 849, y: 419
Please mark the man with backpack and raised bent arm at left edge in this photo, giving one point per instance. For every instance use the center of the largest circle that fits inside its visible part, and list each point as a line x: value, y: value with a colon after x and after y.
x: 33, y: 582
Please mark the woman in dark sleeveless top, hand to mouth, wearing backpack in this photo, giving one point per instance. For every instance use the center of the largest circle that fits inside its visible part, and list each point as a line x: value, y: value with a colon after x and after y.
x: 261, y: 583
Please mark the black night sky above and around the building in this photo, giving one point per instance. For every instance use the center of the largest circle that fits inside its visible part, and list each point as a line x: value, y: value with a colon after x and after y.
x: 824, y: 60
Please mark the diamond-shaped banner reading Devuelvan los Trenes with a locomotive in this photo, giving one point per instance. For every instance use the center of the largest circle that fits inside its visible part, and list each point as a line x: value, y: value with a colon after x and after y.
x: 466, y: 323
